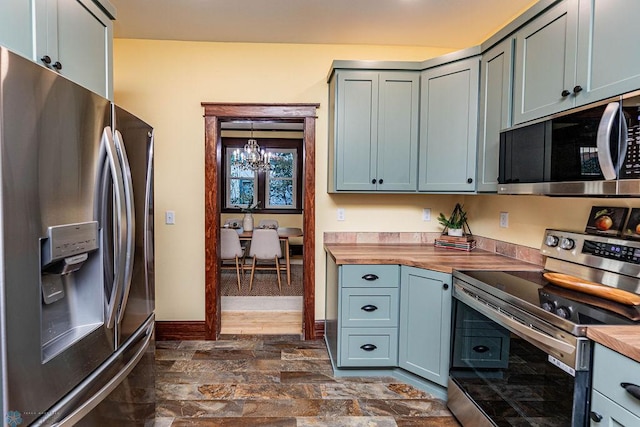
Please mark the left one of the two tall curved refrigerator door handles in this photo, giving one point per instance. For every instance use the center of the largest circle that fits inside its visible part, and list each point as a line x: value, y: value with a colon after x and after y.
x: 119, y: 214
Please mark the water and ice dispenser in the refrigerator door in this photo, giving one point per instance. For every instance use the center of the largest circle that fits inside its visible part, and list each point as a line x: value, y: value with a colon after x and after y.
x: 72, y: 285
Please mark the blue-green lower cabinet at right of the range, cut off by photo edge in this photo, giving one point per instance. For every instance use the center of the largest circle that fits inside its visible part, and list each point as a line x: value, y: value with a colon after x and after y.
x: 611, y: 403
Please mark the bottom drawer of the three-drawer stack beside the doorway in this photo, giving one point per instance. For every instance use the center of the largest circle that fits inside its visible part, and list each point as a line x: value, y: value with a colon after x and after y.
x: 369, y: 347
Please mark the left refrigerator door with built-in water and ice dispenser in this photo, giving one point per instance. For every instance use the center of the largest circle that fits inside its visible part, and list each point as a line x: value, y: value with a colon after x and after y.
x: 52, y: 292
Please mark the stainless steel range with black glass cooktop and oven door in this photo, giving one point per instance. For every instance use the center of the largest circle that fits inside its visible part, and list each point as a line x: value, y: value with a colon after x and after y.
x: 520, y: 355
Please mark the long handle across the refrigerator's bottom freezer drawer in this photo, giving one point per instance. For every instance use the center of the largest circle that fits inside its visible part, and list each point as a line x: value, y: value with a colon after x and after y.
x: 144, y: 334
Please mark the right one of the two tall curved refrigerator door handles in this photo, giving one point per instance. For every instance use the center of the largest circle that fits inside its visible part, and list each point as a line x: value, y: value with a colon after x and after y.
x: 130, y: 223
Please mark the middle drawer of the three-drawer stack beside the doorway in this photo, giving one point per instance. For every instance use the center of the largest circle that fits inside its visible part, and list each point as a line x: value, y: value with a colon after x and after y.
x: 369, y: 307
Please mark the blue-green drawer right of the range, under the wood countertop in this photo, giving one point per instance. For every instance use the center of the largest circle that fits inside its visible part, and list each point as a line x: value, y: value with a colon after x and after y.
x: 610, y: 369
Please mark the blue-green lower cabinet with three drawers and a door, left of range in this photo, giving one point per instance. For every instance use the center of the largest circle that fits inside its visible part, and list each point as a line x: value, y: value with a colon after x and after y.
x: 389, y: 320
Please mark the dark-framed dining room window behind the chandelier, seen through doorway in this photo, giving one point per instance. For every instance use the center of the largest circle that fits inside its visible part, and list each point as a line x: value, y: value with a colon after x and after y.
x: 277, y: 190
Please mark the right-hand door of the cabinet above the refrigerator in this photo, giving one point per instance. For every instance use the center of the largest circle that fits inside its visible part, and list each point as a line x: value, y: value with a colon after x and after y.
x: 75, y: 38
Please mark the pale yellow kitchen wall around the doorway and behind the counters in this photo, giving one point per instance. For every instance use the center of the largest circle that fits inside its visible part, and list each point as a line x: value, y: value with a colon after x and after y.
x: 164, y: 83
